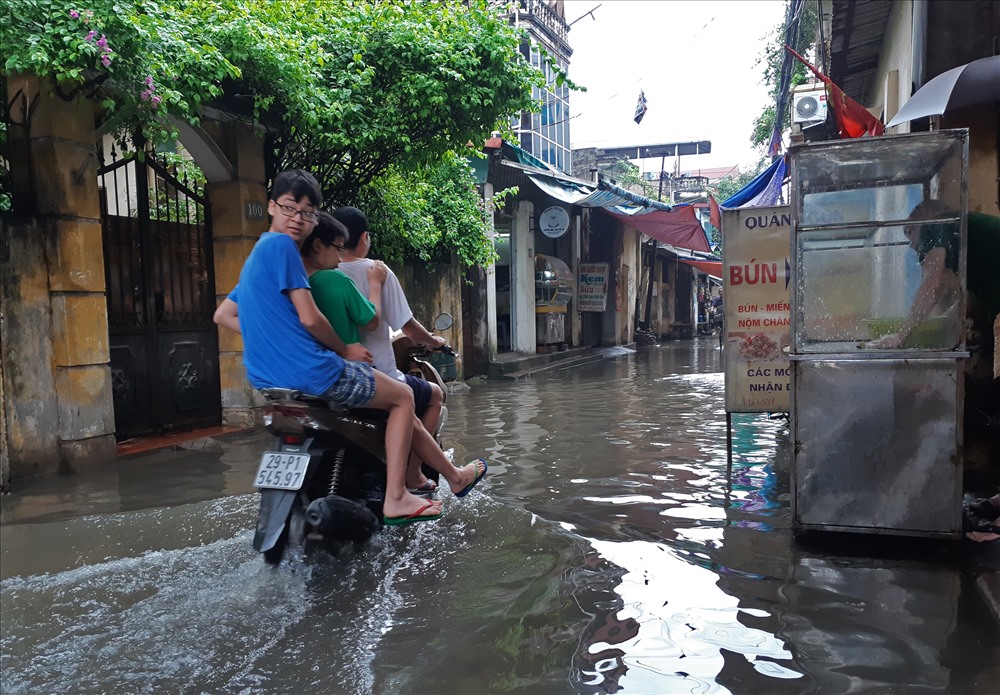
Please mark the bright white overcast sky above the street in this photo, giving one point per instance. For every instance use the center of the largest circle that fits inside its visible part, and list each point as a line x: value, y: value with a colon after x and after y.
x: 695, y: 61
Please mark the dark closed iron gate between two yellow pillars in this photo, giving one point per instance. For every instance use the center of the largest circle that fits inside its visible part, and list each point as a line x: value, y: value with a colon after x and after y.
x: 161, y: 295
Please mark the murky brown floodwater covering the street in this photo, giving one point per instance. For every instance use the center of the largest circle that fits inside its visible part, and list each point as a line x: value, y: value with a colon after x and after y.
x: 608, y: 550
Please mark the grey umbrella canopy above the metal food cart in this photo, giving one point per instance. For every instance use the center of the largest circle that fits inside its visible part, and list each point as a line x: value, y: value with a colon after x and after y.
x: 973, y: 83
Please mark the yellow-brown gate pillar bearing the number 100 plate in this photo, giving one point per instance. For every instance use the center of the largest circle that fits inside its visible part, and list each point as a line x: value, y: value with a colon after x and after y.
x: 238, y: 208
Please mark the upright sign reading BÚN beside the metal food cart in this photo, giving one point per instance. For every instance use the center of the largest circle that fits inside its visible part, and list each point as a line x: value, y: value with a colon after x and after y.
x: 755, y: 249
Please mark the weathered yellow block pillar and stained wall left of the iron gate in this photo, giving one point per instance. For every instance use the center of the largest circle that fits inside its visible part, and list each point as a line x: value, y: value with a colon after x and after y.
x: 59, y: 412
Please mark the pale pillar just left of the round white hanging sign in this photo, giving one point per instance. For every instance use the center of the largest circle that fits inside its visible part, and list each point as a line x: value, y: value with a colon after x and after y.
x: 522, y: 269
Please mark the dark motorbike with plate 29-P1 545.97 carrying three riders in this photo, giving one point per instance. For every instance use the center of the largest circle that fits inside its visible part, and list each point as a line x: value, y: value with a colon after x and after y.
x: 323, y: 481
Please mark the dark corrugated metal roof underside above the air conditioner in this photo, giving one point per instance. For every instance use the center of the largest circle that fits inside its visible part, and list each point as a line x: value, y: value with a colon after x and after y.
x: 858, y: 29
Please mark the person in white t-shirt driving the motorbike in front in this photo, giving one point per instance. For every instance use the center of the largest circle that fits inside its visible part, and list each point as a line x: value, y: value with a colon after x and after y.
x: 396, y: 314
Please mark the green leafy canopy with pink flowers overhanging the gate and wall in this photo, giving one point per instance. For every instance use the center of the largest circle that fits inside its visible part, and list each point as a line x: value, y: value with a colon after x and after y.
x: 374, y: 96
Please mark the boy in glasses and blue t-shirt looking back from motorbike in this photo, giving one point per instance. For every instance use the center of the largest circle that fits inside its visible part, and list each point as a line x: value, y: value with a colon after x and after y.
x: 288, y: 343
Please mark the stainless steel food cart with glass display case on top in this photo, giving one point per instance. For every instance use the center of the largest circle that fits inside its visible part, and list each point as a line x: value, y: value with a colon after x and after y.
x: 877, y: 421
